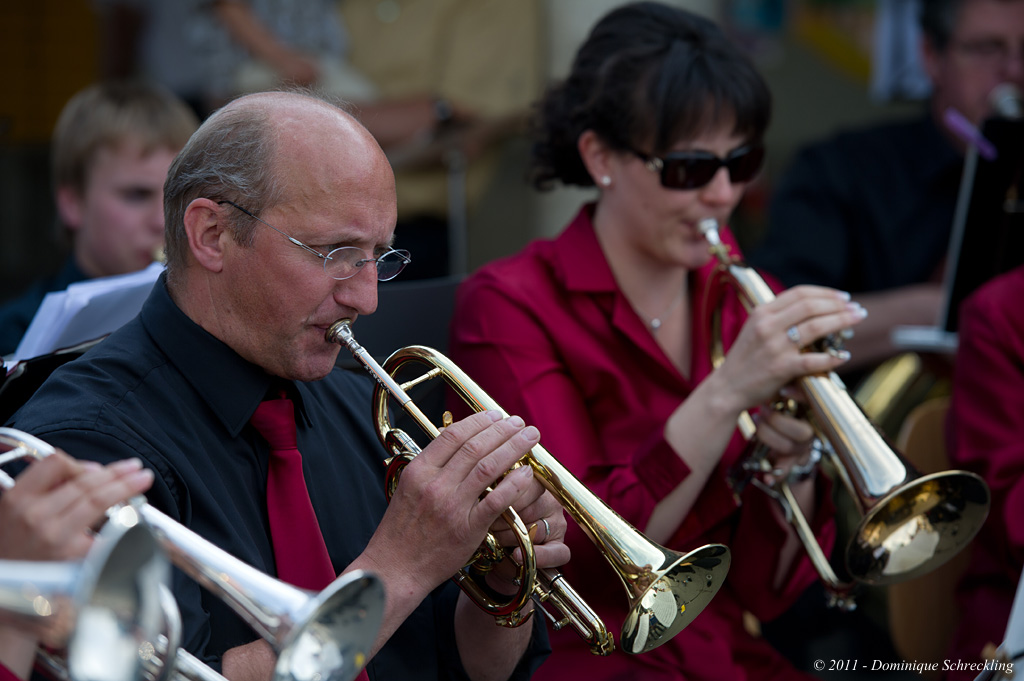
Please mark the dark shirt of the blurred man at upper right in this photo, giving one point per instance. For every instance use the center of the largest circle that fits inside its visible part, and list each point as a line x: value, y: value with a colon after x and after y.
x: 868, y: 210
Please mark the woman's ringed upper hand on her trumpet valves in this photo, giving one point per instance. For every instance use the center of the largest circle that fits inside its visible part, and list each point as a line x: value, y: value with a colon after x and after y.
x: 773, y: 348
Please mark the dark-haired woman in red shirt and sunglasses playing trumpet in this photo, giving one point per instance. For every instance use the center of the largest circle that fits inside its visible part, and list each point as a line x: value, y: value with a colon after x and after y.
x: 599, y: 337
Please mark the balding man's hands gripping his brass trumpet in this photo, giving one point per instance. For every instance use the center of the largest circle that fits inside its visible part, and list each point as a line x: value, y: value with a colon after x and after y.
x: 440, y: 514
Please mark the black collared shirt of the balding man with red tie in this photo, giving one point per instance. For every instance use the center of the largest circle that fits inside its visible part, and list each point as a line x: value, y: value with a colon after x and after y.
x: 163, y: 390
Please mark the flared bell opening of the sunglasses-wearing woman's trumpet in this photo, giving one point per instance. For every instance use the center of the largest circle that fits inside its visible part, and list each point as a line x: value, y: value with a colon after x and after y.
x: 918, y: 528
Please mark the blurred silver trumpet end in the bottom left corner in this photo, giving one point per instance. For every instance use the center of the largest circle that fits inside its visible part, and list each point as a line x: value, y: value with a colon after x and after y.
x: 98, y: 613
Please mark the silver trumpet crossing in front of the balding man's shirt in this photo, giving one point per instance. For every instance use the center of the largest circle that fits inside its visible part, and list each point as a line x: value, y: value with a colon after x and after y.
x: 324, y: 636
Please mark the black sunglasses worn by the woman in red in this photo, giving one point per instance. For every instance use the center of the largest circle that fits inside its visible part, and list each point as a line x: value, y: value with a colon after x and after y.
x: 691, y: 171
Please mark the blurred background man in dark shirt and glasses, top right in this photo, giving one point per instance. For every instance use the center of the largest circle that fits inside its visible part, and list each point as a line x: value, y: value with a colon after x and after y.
x: 871, y: 211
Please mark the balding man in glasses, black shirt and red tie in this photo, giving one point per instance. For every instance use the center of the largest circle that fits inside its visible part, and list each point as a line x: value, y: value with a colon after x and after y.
x: 280, y: 216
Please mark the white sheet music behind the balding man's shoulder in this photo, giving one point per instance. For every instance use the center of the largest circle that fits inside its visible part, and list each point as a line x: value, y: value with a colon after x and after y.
x: 87, y: 311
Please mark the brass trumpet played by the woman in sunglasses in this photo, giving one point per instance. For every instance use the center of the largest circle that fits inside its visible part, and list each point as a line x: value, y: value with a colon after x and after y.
x: 912, y: 524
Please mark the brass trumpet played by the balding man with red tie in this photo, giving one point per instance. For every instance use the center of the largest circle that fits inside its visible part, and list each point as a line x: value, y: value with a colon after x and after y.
x: 667, y: 590
